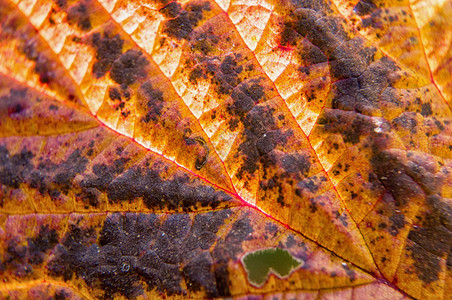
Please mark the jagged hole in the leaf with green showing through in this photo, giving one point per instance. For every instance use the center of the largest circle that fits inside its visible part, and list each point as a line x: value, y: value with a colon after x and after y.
x: 261, y: 263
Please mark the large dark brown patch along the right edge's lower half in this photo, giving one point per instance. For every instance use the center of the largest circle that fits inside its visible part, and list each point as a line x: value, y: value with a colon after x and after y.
x: 403, y: 180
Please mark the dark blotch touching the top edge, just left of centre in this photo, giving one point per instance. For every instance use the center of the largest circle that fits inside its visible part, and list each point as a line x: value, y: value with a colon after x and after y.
x: 183, y: 21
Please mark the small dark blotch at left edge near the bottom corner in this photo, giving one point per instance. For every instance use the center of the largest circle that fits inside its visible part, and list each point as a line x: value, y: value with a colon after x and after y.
x: 21, y: 258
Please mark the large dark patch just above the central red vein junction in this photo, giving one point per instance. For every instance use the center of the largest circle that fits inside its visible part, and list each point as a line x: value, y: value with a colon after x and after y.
x: 263, y: 146
